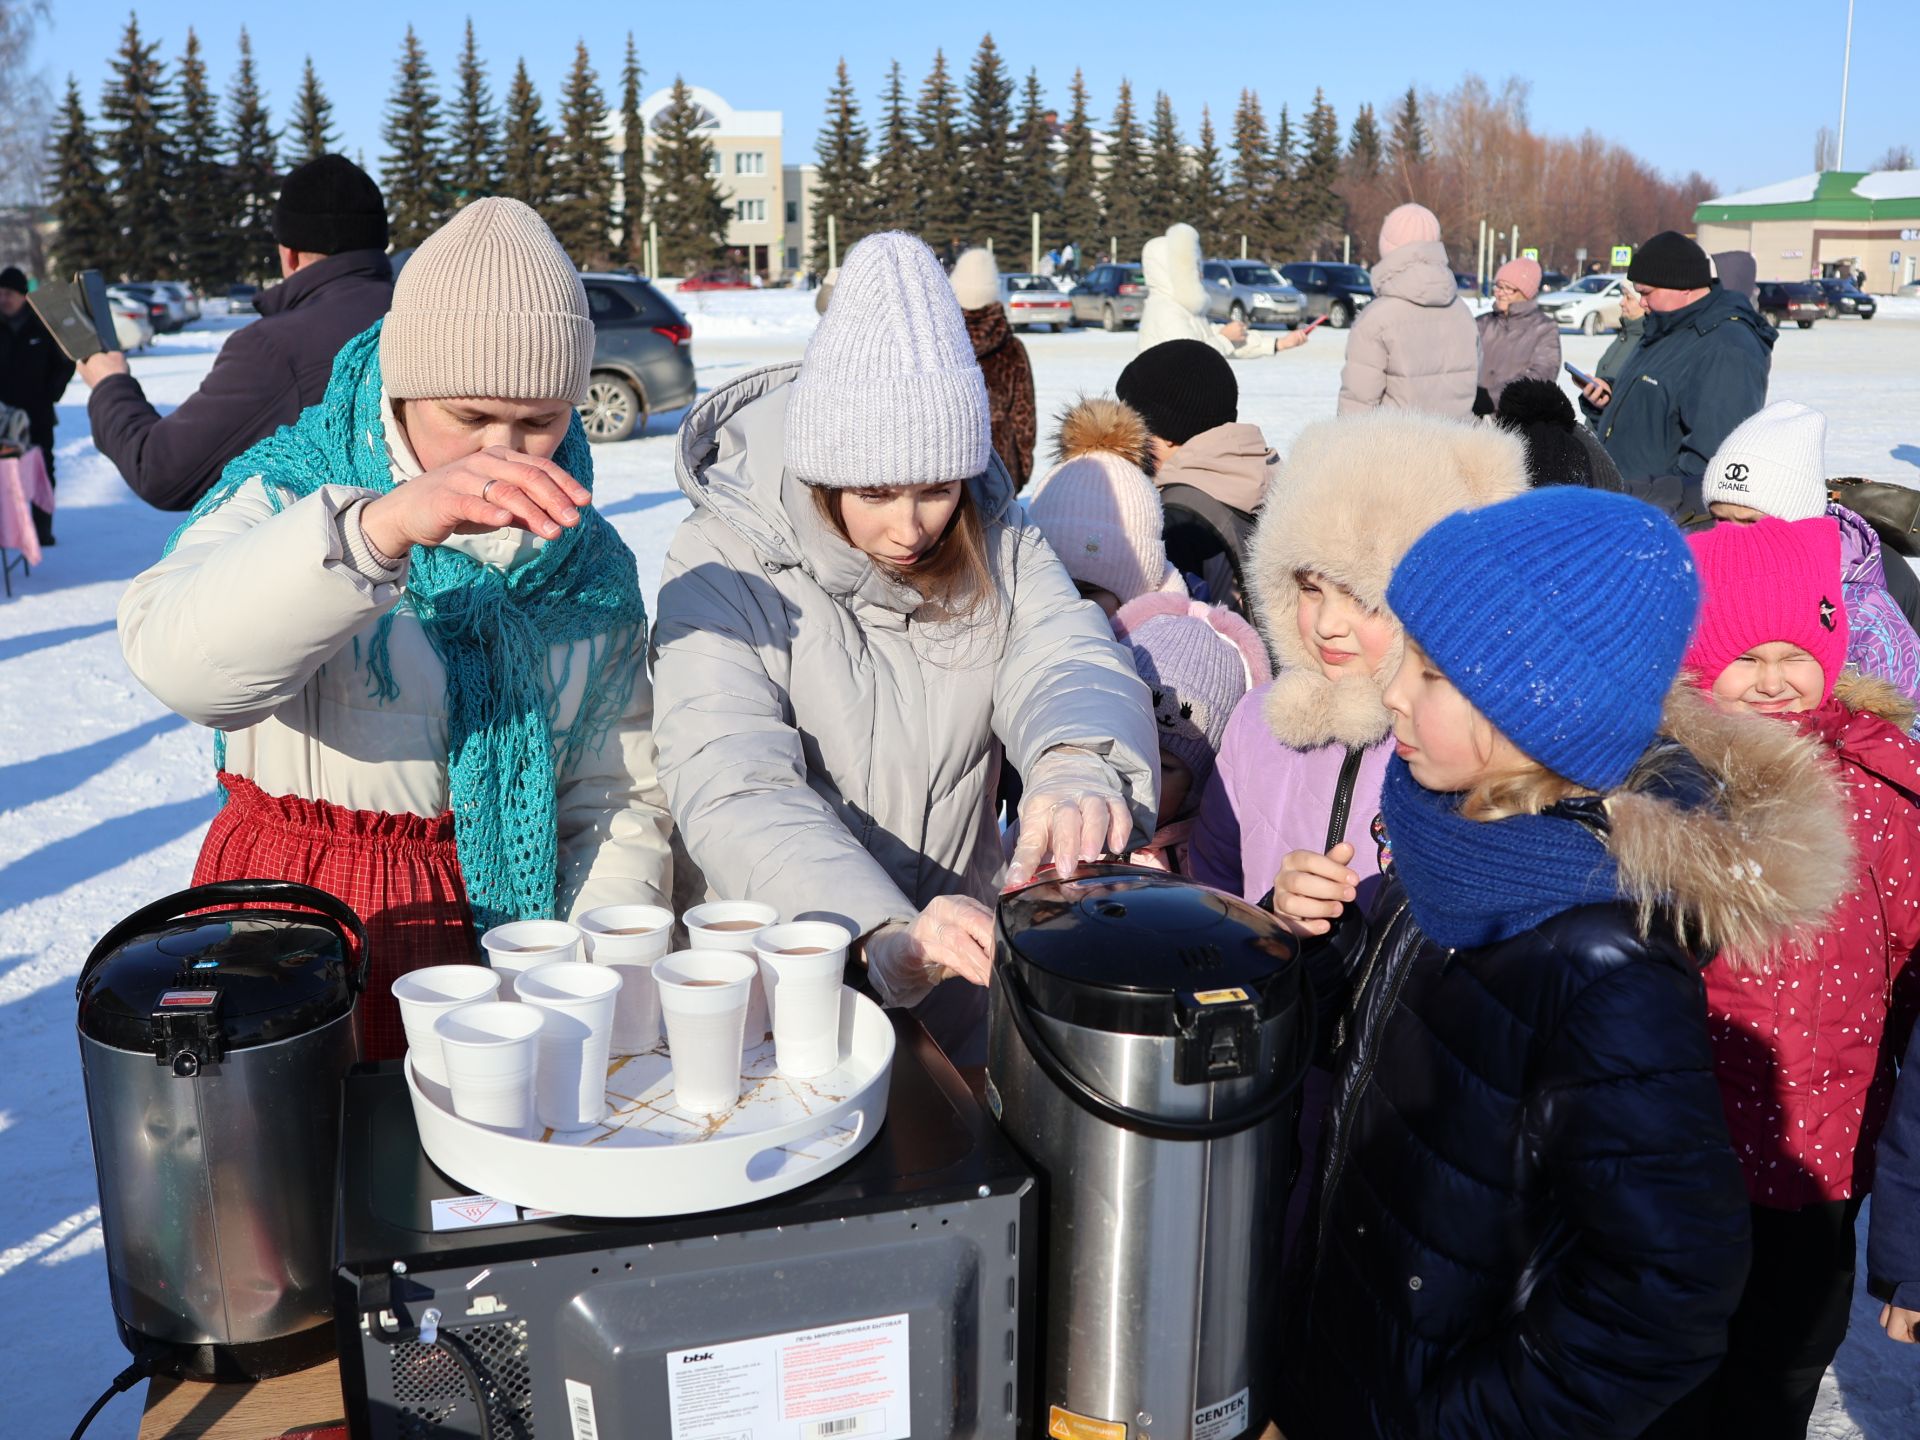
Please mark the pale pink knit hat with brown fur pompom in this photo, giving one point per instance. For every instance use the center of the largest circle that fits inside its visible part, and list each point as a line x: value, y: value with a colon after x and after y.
x: 1099, y: 510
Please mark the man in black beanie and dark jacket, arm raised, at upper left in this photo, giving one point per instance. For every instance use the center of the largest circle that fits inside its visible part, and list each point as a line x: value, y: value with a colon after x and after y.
x: 331, y: 231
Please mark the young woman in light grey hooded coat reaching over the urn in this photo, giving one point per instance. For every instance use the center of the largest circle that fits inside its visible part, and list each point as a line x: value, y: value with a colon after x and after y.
x: 855, y: 623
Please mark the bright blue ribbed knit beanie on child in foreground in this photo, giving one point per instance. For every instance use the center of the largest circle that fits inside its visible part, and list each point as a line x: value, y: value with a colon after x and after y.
x: 1562, y: 615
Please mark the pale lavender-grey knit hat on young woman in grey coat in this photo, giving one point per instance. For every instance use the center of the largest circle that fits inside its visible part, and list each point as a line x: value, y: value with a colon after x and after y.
x: 890, y: 393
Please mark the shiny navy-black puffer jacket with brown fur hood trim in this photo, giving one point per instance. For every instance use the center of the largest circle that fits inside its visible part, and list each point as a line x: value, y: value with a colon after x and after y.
x: 1529, y: 1220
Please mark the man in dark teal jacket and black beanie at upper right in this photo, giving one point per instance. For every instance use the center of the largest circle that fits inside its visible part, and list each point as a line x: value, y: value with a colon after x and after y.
x: 1698, y: 372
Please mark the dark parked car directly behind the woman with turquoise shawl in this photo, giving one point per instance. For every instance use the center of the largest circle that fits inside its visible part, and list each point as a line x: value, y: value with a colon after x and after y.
x: 642, y: 356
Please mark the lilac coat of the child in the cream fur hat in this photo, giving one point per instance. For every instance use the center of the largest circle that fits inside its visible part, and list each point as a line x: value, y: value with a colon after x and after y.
x: 1268, y: 800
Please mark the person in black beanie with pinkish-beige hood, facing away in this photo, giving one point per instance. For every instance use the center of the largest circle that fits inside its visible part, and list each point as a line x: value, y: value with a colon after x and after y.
x: 1211, y: 469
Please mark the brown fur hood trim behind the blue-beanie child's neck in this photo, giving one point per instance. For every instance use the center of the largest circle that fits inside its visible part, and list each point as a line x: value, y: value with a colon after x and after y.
x: 1765, y: 865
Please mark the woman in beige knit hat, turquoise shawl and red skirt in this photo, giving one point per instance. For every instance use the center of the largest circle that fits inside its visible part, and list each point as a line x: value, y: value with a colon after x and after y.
x: 423, y: 650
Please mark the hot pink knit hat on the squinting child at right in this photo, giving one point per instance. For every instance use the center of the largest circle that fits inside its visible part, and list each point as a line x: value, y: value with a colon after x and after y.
x: 1764, y: 583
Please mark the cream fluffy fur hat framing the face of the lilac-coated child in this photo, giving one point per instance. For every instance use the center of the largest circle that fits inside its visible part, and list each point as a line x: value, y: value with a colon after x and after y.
x: 1347, y: 504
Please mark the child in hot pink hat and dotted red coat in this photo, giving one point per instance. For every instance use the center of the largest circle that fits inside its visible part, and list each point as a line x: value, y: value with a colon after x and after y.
x: 1802, y: 1030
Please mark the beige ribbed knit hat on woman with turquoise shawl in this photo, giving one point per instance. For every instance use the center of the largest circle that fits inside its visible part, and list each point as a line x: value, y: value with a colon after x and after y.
x: 489, y: 308
